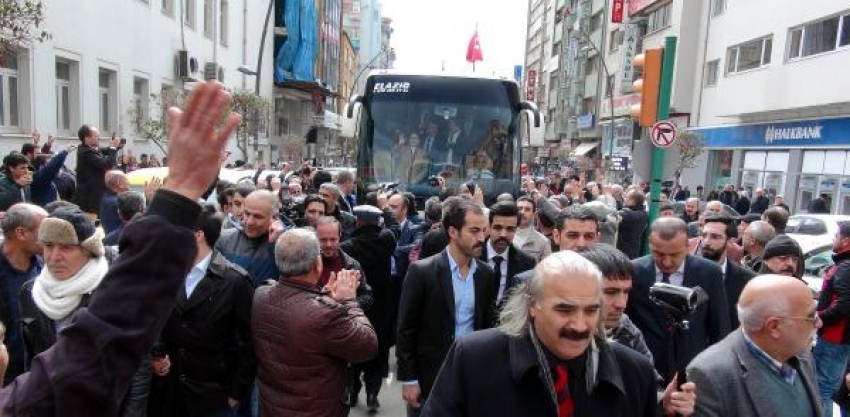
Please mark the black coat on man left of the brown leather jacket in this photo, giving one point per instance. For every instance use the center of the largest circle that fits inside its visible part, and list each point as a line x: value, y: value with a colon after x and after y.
x: 208, y: 340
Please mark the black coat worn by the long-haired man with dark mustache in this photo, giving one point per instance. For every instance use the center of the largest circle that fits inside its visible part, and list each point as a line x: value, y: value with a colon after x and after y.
x: 471, y: 384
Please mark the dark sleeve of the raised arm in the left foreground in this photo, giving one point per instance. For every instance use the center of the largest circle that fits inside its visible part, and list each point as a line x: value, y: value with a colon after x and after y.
x: 88, y: 370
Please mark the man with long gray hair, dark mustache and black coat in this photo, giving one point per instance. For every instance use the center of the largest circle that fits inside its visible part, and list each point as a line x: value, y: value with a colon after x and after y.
x: 548, y: 356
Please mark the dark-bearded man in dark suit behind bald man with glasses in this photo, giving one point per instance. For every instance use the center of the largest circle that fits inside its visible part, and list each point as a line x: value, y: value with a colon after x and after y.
x: 716, y: 235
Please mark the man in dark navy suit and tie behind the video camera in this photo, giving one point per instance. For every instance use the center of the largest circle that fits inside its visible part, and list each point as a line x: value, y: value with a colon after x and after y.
x: 670, y: 263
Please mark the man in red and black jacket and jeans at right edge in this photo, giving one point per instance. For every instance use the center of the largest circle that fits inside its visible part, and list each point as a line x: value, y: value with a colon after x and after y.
x: 833, y: 346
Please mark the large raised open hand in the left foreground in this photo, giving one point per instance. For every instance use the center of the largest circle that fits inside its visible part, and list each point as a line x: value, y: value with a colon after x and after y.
x: 196, y: 143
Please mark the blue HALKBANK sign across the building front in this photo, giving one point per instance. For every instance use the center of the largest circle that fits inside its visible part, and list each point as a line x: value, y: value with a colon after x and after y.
x: 799, y: 134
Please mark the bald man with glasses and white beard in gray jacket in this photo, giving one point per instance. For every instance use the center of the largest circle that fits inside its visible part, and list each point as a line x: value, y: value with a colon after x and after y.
x: 764, y: 368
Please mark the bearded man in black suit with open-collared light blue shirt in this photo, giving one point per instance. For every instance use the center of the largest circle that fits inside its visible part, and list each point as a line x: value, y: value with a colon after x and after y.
x: 443, y: 298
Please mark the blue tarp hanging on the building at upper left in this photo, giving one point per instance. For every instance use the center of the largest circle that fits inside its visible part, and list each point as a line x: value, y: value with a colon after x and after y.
x: 297, y: 56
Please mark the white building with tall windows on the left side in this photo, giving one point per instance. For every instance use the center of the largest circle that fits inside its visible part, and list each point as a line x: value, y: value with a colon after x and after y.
x: 107, y: 56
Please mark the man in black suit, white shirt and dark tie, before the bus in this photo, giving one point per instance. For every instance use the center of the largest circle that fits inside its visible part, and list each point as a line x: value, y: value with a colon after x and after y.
x: 506, y: 260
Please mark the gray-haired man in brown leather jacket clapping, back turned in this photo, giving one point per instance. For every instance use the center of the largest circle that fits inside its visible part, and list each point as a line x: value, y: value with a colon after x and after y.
x: 304, y: 336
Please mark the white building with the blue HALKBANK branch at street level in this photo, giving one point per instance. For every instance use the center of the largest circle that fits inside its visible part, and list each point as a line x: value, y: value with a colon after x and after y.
x: 773, y: 101
